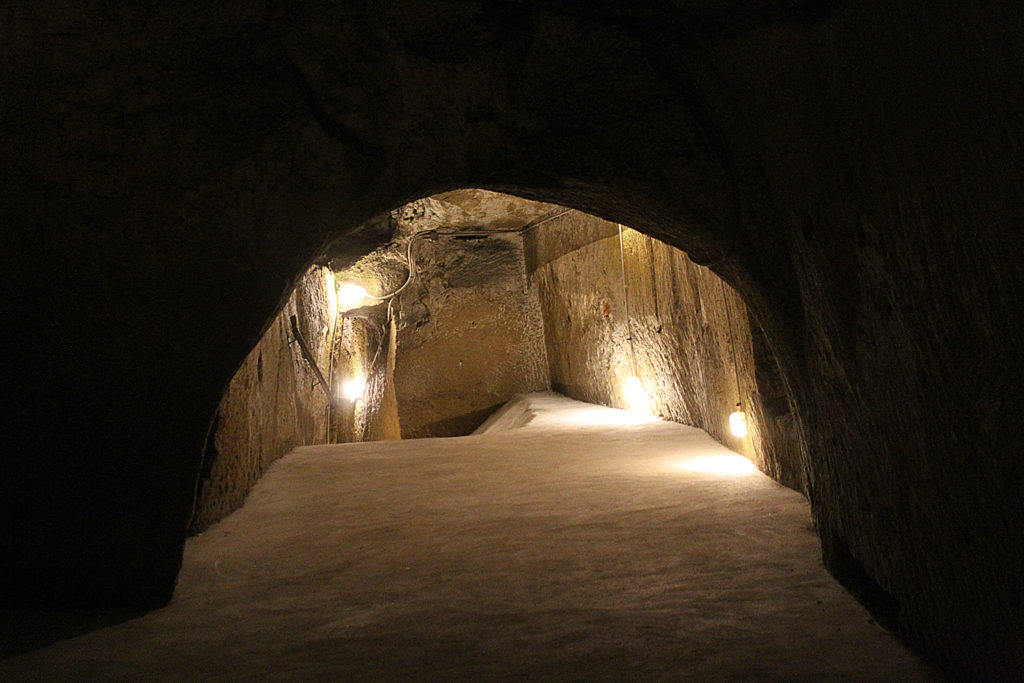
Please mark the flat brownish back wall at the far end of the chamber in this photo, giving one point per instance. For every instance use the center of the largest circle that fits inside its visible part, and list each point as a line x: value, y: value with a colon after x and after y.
x: 471, y: 339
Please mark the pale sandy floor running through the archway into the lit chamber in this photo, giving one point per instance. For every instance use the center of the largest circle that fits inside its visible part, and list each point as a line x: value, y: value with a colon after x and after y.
x: 587, y: 545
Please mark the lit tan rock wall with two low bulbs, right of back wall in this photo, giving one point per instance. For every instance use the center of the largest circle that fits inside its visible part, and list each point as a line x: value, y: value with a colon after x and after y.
x: 692, y: 346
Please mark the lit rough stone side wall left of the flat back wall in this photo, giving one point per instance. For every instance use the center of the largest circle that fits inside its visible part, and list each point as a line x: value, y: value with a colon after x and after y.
x: 275, y: 402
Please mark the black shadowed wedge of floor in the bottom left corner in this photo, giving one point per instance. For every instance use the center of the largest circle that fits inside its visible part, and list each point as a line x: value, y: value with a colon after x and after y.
x: 26, y: 630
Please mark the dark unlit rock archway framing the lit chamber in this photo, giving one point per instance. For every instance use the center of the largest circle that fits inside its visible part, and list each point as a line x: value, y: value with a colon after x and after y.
x: 852, y: 173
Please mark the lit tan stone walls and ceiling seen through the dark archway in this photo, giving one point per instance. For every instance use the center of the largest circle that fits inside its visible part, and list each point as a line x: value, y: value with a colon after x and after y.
x: 479, y: 297
